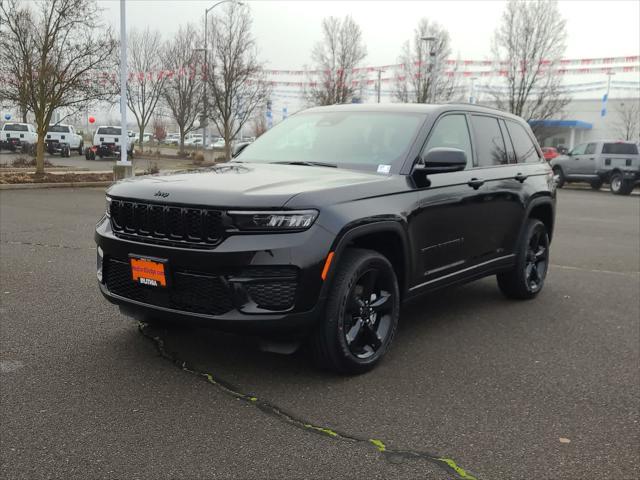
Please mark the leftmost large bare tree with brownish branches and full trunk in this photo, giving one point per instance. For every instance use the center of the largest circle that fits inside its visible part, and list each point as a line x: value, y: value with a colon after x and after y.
x: 60, y: 44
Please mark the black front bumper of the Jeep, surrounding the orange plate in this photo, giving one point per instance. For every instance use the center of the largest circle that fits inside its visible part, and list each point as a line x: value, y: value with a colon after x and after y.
x: 266, y: 282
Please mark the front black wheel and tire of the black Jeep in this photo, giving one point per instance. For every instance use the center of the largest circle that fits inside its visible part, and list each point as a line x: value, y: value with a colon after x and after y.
x: 361, y: 315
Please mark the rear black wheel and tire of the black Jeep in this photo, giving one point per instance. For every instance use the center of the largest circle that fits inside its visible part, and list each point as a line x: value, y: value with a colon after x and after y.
x: 526, y: 279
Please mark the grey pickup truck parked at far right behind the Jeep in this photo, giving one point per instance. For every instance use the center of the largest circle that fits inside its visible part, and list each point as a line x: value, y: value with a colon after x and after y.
x: 604, y: 161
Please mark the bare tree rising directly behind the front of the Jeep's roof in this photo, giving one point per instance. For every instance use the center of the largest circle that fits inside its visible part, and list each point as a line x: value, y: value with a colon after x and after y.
x: 340, y: 51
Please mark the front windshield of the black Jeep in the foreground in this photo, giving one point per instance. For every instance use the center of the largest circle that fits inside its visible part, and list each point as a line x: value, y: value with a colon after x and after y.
x: 353, y: 139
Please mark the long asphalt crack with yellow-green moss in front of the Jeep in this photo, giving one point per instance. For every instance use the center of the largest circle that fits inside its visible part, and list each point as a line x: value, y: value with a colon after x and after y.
x: 393, y: 455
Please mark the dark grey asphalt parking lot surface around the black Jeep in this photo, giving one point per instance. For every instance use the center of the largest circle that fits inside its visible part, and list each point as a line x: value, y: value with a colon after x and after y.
x: 476, y: 386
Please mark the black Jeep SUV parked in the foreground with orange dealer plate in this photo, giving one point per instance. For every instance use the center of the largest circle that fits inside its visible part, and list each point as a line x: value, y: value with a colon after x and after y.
x: 323, y: 226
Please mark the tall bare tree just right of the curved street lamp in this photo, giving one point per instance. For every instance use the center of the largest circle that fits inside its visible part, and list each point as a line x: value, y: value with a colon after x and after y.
x: 234, y: 76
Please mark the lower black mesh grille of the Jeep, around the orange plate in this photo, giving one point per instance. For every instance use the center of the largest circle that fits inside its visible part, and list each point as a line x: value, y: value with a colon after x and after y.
x: 188, y: 292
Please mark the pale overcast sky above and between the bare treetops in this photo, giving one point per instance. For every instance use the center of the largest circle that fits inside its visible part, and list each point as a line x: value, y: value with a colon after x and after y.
x: 287, y: 30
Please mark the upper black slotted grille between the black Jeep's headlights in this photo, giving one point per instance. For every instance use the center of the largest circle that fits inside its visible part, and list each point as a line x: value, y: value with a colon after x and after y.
x: 167, y: 224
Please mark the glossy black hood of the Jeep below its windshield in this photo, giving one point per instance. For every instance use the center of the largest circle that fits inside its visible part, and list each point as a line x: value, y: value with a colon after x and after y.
x: 245, y: 185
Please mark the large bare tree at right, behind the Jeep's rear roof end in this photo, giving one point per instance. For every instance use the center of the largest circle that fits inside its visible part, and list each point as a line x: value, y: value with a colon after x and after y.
x: 531, y: 40
